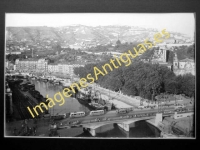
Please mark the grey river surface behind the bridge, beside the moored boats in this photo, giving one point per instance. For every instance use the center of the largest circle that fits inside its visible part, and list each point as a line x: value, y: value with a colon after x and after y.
x: 70, y: 105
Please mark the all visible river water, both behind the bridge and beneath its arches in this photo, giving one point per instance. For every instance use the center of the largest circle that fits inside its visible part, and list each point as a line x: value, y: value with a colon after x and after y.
x: 141, y: 130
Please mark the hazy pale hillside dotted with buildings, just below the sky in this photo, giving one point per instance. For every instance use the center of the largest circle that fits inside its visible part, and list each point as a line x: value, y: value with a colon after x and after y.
x: 79, y: 36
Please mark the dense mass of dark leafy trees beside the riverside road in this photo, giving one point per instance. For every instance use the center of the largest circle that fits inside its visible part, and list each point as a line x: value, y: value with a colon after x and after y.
x: 142, y: 79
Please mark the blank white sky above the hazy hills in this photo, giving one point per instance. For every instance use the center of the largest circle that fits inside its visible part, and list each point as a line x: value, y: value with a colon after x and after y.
x: 178, y: 22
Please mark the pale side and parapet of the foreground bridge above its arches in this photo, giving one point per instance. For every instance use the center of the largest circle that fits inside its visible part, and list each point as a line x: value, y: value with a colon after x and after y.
x: 97, y: 121
